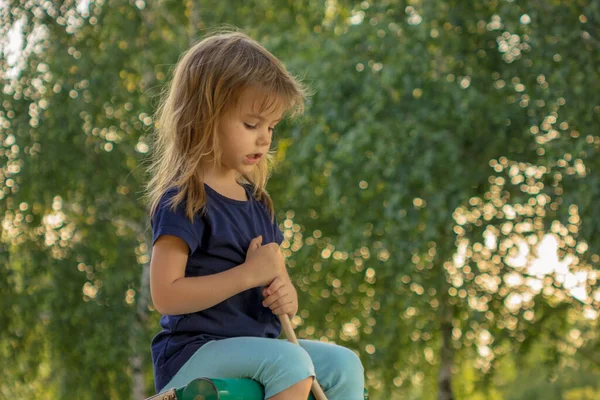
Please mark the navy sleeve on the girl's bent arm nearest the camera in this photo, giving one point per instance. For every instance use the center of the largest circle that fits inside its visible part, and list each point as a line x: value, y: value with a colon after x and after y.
x: 174, y: 222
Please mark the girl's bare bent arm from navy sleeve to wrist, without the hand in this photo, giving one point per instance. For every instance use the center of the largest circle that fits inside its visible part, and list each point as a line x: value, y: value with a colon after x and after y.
x: 174, y: 294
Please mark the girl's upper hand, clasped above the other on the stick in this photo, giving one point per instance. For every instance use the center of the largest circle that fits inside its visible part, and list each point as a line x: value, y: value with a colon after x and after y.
x: 264, y: 263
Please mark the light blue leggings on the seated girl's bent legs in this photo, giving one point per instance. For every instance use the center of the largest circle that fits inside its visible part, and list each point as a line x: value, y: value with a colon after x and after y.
x: 277, y: 364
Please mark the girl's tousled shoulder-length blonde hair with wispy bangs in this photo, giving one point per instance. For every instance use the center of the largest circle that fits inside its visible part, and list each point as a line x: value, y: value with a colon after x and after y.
x: 207, y: 82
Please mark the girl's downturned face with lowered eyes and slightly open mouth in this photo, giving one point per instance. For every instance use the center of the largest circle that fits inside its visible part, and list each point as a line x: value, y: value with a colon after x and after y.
x: 245, y: 135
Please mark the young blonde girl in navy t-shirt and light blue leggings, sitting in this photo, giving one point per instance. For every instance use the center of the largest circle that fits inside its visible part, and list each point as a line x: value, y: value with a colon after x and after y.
x: 217, y: 274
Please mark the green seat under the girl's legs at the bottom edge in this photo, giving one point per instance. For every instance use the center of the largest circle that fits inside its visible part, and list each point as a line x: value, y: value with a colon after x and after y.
x: 218, y: 389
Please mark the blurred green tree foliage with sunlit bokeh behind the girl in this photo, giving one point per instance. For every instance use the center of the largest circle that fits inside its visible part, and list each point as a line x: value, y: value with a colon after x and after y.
x: 442, y: 137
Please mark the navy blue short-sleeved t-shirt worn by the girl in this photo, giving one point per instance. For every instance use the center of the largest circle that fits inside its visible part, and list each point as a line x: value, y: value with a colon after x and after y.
x: 218, y: 241
